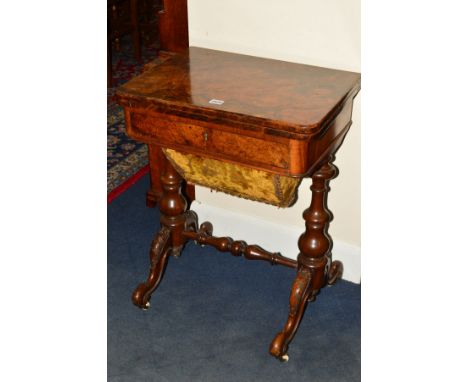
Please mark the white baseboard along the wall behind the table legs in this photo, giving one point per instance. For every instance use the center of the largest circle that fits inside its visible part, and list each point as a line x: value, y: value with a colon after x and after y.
x: 274, y: 237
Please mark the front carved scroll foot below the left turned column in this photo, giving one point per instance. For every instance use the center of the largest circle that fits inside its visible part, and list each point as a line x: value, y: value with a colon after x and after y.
x: 159, y: 253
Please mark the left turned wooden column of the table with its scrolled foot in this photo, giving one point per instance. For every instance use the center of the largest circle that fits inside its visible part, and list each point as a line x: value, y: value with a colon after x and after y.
x: 169, y: 240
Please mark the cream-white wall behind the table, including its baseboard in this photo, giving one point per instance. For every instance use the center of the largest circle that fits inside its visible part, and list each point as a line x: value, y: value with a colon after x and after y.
x: 316, y: 32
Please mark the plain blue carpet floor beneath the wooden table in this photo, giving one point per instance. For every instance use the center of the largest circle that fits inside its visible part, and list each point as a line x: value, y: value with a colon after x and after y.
x: 214, y: 315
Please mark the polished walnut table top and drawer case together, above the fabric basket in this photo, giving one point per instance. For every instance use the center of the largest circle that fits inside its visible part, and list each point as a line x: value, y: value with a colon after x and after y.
x: 293, y: 115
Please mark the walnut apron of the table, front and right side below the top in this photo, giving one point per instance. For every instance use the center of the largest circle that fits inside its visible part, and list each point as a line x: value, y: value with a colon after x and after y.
x: 255, y: 149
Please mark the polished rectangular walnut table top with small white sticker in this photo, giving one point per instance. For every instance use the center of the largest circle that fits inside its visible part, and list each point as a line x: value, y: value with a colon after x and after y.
x: 279, y: 95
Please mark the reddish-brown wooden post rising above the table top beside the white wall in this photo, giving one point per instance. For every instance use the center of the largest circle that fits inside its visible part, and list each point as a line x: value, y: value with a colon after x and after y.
x: 173, y: 26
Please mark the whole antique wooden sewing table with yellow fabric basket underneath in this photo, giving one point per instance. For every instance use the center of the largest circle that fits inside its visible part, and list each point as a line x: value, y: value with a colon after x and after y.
x: 251, y: 127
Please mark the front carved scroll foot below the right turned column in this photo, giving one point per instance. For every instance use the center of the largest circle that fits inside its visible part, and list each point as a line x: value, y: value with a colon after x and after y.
x: 297, y: 303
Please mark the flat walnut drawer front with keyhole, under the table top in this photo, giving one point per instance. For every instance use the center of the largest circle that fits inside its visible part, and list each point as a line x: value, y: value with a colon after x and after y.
x: 207, y: 138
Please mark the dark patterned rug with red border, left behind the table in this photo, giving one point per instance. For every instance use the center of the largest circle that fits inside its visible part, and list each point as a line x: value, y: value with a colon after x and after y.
x: 127, y: 160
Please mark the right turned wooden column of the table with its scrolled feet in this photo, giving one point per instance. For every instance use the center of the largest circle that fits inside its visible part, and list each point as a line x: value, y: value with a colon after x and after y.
x: 314, y: 259
